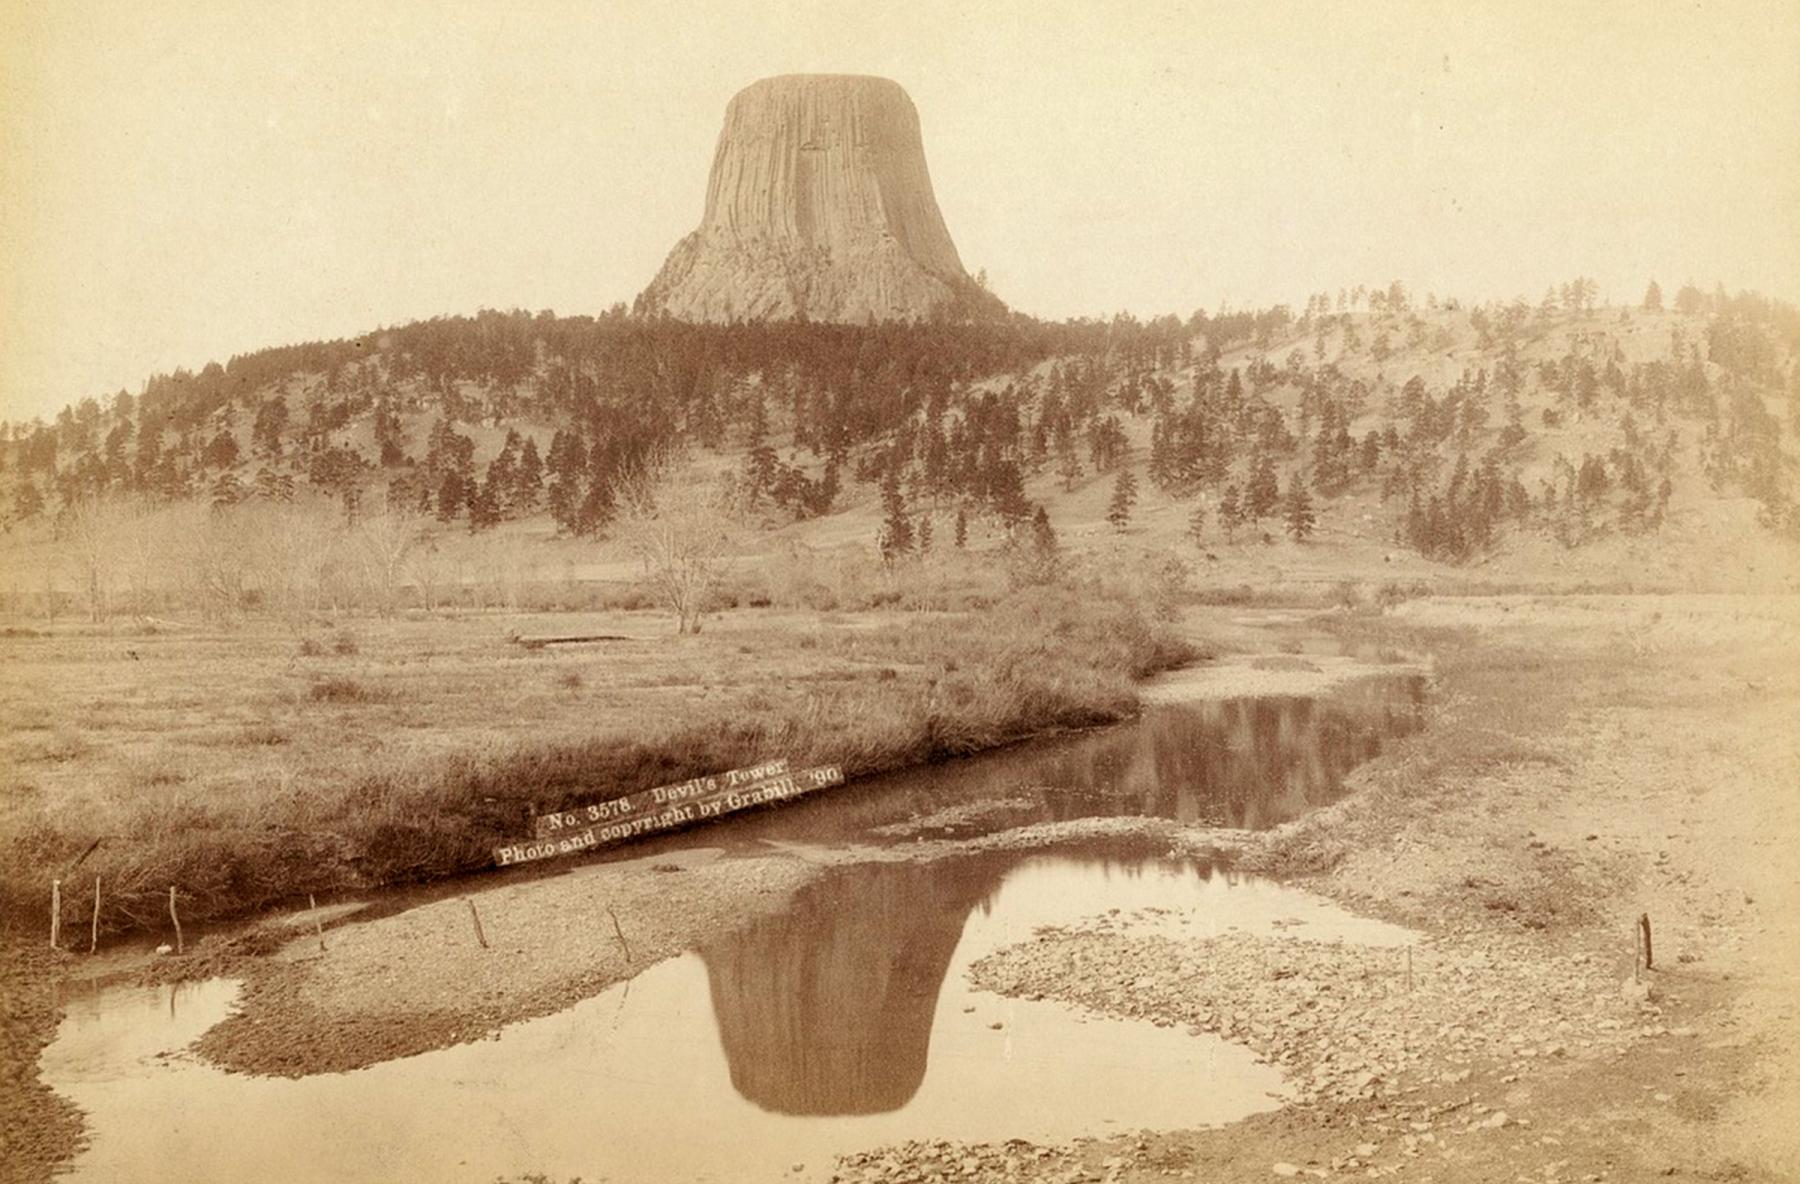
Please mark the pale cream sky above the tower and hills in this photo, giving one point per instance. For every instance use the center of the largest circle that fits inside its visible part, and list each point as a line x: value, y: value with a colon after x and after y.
x: 183, y: 181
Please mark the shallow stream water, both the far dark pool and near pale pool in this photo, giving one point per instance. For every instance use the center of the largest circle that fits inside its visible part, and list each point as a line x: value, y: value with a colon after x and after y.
x: 838, y: 1025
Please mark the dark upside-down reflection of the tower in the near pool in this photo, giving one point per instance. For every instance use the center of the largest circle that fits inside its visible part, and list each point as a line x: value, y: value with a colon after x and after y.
x: 827, y: 1009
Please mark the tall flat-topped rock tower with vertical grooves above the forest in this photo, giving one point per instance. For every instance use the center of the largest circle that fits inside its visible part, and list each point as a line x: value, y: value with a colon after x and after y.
x: 820, y: 206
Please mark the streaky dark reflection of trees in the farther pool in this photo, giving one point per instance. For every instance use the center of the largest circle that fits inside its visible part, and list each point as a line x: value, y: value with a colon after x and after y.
x: 1245, y: 762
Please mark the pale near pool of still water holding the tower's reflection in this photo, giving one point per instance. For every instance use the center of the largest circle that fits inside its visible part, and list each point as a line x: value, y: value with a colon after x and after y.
x: 841, y: 1025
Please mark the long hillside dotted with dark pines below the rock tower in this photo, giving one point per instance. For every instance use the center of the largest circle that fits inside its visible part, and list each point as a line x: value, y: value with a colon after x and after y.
x: 1423, y: 426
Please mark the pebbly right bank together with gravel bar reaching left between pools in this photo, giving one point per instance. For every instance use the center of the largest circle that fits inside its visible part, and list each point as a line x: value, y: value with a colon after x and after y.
x: 1585, y: 764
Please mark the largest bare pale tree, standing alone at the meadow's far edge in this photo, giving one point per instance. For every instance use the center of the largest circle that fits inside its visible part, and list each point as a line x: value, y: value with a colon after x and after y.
x: 683, y: 526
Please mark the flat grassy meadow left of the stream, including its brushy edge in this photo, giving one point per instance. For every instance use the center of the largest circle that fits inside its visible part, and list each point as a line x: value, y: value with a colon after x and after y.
x: 271, y: 758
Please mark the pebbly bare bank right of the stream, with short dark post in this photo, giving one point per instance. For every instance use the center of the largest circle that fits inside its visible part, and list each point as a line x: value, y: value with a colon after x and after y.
x: 1590, y: 760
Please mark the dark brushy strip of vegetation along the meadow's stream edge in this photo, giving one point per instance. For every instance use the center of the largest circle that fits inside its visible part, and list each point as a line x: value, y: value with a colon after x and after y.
x: 922, y: 688
